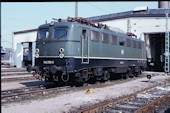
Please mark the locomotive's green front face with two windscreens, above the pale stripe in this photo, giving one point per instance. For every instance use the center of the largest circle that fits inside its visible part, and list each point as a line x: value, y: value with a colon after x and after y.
x: 49, y: 38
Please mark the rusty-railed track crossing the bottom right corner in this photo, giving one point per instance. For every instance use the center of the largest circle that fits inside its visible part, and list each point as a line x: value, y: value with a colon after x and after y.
x: 150, y: 100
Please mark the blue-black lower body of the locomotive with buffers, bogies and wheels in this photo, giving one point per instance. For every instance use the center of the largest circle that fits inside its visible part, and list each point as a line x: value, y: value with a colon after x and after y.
x: 70, y: 70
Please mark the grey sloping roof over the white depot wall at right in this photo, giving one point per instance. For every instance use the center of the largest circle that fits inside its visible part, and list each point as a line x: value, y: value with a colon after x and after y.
x: 147, y: 13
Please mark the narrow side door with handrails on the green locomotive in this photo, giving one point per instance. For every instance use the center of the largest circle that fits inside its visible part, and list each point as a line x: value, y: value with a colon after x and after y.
x: 85, y: 36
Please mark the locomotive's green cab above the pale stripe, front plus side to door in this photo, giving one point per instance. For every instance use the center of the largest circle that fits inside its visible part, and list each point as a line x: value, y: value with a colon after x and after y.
x: 62, y: 35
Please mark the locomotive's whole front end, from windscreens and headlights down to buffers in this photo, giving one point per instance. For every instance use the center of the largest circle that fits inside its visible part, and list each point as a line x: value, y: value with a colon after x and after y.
x: 52, y: 51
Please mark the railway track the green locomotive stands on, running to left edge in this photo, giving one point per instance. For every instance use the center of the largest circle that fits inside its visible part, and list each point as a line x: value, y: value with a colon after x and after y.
x: 27, y: 93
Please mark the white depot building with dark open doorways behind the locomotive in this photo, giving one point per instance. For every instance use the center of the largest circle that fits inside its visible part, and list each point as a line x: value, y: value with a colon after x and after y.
x: 150, y: 25
